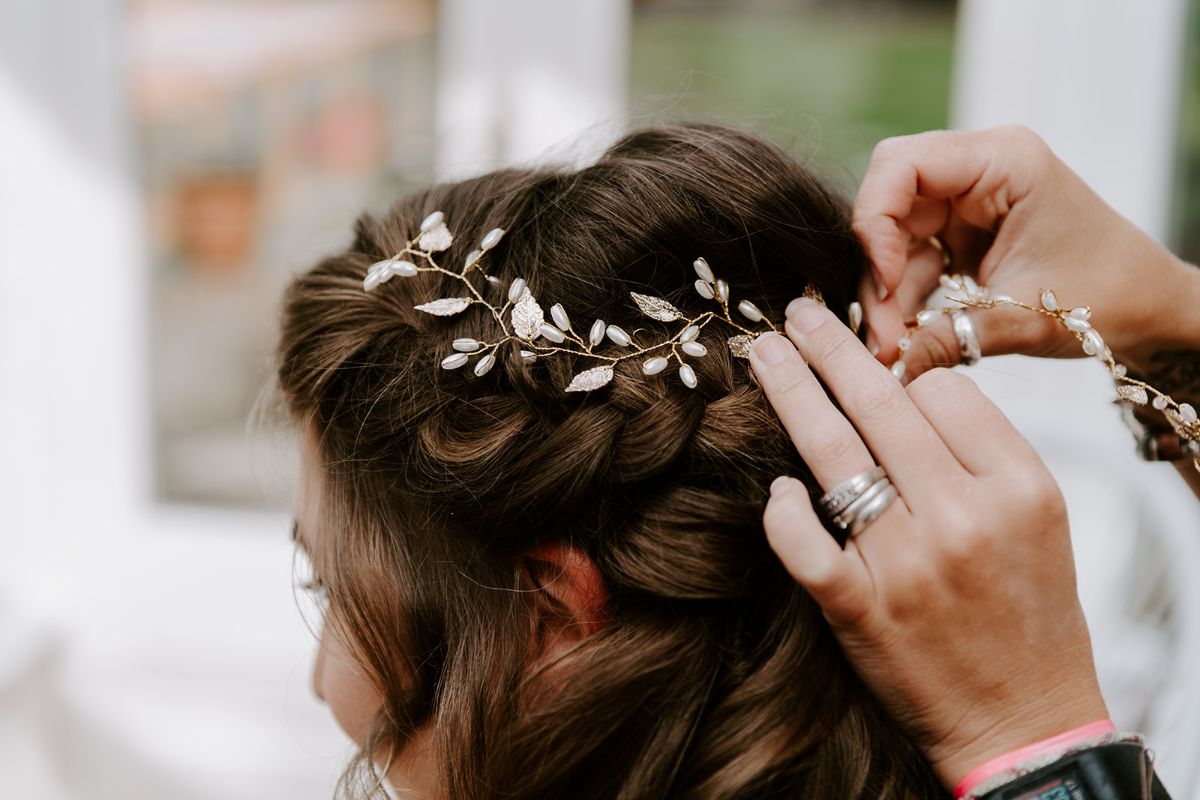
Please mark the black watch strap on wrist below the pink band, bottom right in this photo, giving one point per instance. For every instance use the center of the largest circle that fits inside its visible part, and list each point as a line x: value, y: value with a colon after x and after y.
x: 1112, y: 772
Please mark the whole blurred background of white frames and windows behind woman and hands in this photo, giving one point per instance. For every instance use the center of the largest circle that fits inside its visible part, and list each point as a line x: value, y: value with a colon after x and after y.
x: 167, y: 165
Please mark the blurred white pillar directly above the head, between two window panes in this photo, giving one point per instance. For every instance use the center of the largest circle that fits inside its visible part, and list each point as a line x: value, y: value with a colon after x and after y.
x: 526, y: 81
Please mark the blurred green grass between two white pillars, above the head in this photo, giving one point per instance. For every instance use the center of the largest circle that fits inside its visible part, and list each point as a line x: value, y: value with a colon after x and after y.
x: 826, y: 86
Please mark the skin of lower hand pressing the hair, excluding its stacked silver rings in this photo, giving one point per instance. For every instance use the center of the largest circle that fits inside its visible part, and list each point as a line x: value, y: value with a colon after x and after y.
x: 958, y: 606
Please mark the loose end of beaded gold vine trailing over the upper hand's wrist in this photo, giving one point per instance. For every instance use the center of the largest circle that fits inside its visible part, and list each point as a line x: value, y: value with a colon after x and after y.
x: 1181, y: 417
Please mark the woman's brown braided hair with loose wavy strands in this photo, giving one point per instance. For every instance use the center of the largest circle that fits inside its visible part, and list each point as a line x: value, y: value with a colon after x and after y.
x: 715, y: 676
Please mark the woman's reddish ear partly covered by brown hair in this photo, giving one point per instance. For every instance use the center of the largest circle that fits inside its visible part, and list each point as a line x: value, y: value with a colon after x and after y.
x: 572, y: 597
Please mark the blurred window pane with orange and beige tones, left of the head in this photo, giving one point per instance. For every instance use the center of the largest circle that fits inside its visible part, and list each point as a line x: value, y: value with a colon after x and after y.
x: 265, y: 128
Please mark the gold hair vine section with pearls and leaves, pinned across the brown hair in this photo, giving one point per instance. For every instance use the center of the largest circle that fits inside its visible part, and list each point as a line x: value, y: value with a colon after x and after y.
x: 523, y: 320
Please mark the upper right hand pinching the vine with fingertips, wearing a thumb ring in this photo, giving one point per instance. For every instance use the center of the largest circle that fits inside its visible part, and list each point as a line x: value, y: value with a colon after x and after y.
x: 1016, y: 218
